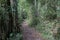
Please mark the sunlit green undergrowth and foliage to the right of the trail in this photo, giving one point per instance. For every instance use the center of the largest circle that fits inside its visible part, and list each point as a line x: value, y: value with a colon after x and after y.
x: 42, y: 15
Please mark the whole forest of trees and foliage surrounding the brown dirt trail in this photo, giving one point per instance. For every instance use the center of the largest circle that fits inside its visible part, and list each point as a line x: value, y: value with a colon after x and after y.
x: 43, y: 15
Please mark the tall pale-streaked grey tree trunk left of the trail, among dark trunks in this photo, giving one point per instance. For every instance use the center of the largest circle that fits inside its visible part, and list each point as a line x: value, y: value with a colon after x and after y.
x: 14, y: 13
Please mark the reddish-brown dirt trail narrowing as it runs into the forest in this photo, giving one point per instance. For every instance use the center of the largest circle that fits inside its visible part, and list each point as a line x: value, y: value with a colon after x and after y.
x: 30, y: 33
